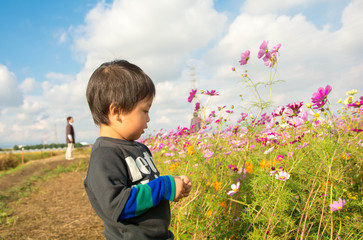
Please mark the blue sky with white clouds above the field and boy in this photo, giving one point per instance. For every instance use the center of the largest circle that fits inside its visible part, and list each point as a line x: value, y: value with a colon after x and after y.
x: 49, y: 49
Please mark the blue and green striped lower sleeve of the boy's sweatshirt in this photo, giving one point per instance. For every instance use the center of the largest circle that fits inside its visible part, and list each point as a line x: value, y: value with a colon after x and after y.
x: 145, y: 196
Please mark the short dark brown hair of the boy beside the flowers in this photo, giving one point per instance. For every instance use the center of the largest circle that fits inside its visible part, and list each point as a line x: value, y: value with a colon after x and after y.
x: 120, y: 83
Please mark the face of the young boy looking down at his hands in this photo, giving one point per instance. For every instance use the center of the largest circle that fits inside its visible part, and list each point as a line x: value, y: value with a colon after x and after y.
x: 133, y: 123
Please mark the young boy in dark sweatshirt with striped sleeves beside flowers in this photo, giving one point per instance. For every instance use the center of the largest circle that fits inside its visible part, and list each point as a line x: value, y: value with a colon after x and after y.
x: 122, y: 183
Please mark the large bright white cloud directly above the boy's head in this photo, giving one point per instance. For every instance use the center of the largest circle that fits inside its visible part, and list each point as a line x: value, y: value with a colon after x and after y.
x: 158, y: 36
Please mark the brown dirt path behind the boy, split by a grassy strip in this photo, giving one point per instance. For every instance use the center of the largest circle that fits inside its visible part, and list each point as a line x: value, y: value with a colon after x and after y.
x: 58, y: 209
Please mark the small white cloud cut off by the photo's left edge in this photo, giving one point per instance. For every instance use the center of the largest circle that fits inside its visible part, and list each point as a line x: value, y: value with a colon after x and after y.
x: 10, y: 94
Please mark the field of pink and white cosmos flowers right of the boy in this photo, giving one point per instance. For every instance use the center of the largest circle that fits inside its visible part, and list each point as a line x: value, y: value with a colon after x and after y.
x: 295, y: 173
